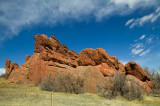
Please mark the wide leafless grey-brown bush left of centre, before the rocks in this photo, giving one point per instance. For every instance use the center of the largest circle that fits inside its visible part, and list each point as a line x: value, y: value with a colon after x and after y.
x: 63, y: 83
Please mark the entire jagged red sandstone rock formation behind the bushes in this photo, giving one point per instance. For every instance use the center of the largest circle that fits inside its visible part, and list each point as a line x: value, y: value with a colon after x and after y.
x: 50, y: 57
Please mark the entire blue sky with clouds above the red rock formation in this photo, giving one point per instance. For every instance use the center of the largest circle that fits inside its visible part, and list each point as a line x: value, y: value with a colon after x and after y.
x: 128, y: 29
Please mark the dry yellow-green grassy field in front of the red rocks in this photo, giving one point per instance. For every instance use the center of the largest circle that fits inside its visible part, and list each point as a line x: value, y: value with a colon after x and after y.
x: 30, y: 95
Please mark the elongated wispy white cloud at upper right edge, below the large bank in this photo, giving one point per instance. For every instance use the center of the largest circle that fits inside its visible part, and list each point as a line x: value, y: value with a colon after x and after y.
x: 150, y: 18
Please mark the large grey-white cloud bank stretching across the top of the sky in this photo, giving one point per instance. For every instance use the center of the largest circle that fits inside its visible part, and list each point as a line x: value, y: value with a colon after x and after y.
x: 19, y: 14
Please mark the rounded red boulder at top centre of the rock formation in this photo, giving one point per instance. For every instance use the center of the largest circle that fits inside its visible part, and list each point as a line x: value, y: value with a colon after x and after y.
x: 95, y: 57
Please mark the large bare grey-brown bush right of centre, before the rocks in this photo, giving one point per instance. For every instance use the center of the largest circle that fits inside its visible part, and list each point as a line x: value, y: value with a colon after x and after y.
x: 119, y: 86
